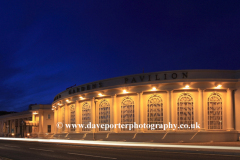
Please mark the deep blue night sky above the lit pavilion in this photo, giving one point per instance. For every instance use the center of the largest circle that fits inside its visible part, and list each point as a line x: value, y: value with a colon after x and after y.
x: 47, y: 46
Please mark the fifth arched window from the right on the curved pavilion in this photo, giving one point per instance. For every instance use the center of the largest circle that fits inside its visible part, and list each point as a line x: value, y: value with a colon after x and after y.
x: 104, y: 114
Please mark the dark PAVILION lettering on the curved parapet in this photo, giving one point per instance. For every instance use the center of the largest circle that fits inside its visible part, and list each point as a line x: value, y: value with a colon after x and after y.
x: 155, y: 77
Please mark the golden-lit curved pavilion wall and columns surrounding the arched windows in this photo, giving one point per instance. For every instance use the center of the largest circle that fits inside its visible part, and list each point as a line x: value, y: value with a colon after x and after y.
x: 170, y: 108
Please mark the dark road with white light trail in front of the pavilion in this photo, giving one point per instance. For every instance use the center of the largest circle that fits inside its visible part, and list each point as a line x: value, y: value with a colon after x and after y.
x: 12, y: 148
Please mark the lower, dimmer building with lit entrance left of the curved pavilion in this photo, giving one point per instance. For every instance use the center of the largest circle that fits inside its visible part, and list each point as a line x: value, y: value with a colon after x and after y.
x: 38, y: 121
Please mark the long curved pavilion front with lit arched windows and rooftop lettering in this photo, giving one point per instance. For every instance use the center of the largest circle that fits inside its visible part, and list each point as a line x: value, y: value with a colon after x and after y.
x: 206, y: 100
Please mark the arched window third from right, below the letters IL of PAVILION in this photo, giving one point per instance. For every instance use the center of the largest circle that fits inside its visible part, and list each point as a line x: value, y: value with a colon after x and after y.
x: 155, y: 111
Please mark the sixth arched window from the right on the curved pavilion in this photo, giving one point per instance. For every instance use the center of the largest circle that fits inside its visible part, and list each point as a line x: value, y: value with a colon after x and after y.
x: 86, y: 116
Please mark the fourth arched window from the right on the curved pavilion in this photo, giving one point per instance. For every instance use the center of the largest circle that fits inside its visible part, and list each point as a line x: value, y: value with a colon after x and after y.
x: 127, y: 114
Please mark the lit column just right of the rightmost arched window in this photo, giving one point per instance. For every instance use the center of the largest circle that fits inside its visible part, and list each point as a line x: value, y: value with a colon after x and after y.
x: 229, y: 110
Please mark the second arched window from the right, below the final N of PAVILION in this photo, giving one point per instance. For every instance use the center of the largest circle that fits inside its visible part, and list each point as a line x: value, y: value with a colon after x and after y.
x: 185, y: 110
